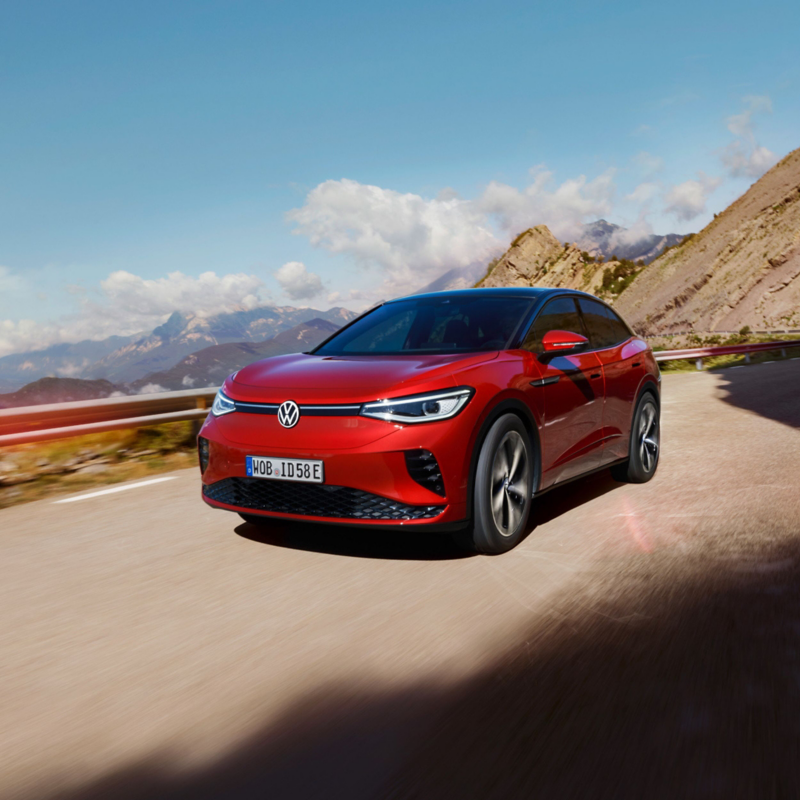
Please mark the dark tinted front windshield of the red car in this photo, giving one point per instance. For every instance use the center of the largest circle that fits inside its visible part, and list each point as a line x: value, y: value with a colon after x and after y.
x: 431, y: 325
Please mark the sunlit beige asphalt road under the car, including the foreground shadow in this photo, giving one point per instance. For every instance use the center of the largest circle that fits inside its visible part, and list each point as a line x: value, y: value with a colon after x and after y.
x: 643, y: 641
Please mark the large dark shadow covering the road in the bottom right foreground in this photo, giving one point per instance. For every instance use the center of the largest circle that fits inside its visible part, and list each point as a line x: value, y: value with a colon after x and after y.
x: 679, y: 681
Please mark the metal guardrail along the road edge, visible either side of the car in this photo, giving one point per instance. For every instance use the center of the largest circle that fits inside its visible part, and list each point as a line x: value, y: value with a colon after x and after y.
x: 63, y: 420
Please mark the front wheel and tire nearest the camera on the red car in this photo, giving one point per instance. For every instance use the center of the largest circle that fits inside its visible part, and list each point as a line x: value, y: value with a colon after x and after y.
x: 503, y: 487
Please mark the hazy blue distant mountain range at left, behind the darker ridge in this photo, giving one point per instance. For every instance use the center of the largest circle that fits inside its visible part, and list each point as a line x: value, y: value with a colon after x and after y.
x: 123, y: 360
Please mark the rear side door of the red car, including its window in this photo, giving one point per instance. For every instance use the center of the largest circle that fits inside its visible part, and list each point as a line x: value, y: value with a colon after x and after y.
x: 622, y: 358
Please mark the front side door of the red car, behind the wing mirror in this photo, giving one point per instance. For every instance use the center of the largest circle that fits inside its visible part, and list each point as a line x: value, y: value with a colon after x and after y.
x: 569, y: 388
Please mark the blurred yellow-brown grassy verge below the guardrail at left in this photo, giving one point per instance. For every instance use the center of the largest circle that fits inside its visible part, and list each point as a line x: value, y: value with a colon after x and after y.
x: 35, y: 471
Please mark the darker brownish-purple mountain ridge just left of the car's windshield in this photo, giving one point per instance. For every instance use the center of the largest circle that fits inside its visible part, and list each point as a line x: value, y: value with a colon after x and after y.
x: 211, y: 365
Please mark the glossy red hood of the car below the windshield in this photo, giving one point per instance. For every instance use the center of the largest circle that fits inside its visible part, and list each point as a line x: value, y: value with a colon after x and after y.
x: 346, y: 379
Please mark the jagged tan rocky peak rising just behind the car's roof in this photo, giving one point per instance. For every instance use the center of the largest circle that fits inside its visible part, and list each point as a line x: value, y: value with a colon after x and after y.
x: 537, y: 258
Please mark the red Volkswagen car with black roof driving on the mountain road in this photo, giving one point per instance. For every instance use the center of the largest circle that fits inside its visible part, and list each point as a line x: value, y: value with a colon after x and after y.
x: 450, y: 411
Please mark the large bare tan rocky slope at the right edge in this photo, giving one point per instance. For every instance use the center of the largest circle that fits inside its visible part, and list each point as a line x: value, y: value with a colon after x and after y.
x: 743, y: 268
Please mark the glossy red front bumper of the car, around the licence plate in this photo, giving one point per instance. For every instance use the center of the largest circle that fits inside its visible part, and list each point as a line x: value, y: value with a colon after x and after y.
x: 365, y: 485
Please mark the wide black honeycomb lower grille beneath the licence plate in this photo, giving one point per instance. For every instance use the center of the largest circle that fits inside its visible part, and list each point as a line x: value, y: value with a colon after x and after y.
x: 312, y: 500
